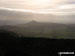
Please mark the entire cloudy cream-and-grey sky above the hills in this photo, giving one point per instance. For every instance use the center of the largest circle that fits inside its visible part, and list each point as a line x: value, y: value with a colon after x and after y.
x: 40, y: 10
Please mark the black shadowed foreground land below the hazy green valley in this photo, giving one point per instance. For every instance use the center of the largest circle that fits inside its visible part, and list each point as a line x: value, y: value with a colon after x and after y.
x: 12, y: 44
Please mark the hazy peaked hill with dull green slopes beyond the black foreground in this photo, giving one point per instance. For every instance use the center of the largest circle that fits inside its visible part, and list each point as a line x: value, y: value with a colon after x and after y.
x: 43, y: 29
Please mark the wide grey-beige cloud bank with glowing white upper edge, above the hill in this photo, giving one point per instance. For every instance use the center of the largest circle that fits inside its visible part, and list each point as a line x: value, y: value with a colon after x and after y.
x: 61, y: 14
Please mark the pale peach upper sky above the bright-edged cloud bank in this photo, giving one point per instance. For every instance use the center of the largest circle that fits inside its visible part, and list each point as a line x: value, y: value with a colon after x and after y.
x: 34, y: 4
